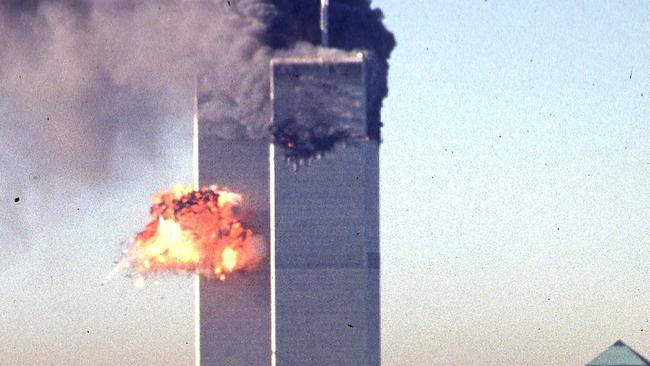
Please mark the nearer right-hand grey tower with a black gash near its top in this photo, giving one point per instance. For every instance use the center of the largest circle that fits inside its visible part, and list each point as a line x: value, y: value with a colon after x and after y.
x: 325, y: 219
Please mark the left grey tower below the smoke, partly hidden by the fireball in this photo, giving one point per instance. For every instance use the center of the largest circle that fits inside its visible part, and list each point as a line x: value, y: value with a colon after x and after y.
x: 233, y: 317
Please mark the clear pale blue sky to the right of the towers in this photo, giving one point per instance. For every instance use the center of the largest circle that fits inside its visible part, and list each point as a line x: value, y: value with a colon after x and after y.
x: 515, y: 166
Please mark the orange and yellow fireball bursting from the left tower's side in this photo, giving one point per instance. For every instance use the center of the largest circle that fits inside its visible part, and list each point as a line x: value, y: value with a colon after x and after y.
x: 195, y: 231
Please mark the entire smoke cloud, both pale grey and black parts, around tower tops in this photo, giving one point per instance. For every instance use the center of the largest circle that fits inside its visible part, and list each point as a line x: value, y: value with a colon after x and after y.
x: 82, y: 78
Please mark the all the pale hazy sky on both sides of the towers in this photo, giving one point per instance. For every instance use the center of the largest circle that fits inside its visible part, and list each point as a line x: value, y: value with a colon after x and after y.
x: 515, y: 212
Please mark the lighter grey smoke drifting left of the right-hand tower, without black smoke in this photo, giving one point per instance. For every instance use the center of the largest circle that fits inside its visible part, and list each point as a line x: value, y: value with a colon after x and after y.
x: 75, y: 74
